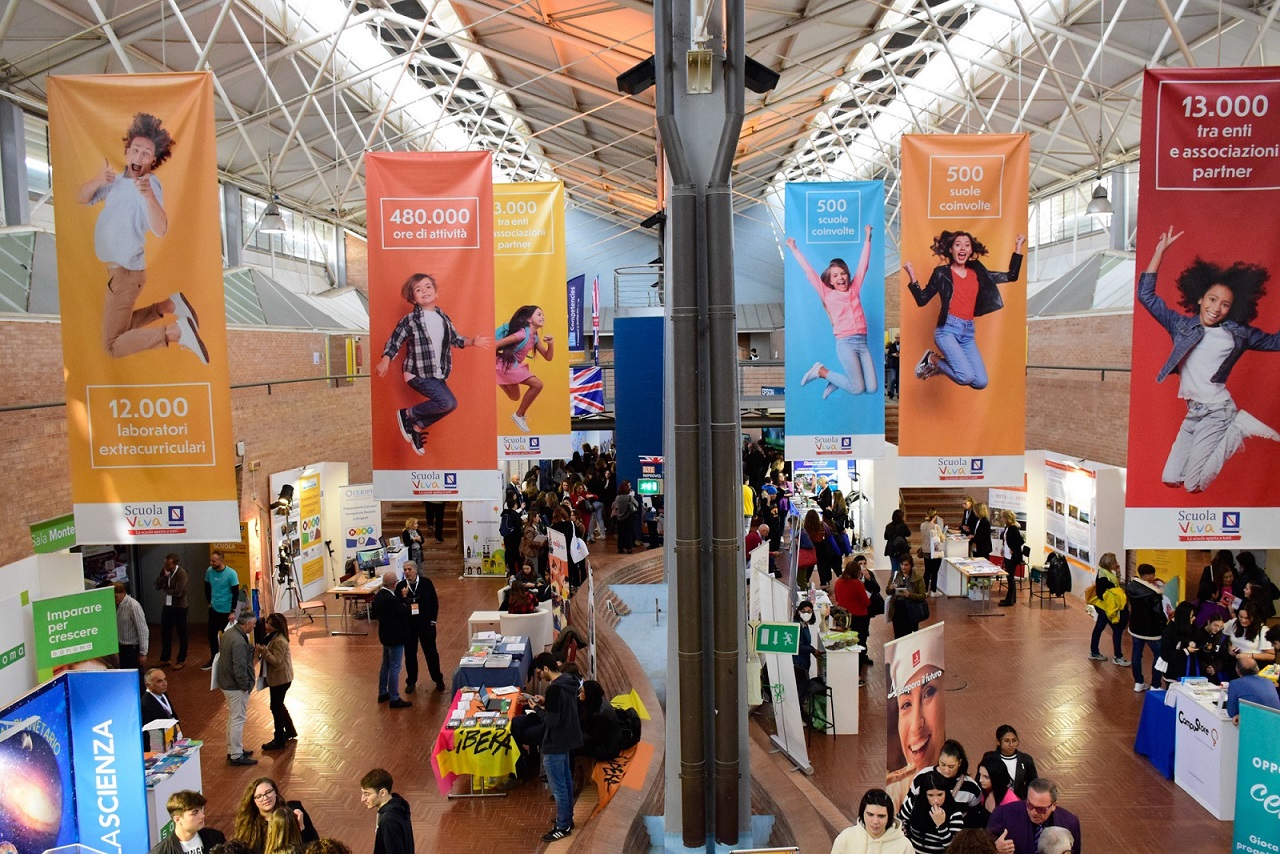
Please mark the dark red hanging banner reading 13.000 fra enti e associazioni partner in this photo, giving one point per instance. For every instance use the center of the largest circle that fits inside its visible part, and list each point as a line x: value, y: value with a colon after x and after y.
x: 1204, y: 414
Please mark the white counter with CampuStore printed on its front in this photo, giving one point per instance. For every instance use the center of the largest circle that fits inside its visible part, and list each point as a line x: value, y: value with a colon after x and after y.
x: 1205, y: 750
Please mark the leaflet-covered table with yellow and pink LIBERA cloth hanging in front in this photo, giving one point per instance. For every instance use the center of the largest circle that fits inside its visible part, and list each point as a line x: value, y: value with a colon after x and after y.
x: 476, y: 739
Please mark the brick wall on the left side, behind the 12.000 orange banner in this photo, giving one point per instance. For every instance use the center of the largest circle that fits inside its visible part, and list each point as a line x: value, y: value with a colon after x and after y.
x: 285, y: 428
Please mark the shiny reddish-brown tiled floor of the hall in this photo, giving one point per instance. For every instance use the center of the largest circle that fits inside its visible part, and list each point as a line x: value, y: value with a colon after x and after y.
x: 1028, y: 669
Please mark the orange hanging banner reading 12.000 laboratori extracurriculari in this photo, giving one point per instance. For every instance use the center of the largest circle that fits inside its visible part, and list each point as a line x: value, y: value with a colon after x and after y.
x: 149, y: 414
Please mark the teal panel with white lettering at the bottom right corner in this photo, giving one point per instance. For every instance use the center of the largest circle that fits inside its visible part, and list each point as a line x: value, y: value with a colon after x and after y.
x: 1258, y: 782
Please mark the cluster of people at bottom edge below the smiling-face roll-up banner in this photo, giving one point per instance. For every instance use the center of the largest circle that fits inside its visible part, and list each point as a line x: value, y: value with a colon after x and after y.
x: 1004, y: 807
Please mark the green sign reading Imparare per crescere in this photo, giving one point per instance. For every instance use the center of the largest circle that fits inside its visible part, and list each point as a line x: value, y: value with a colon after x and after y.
x: 75, y: 628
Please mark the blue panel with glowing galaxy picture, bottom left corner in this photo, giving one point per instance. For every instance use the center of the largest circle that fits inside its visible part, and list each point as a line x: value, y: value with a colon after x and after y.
x: 38, y: 809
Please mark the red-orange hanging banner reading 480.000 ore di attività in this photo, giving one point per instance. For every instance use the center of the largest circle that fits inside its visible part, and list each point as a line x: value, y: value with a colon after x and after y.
x: 431, y: 312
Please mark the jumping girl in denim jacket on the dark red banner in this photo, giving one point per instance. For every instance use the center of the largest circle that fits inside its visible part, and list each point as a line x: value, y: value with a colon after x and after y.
x: 1209, y: 340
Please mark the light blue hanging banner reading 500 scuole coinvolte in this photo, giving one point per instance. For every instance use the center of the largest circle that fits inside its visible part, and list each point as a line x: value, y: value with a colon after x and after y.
x: 834, y: 278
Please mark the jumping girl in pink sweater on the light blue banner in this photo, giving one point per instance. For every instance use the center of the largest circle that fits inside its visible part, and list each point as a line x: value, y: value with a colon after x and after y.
x: 839, y: 291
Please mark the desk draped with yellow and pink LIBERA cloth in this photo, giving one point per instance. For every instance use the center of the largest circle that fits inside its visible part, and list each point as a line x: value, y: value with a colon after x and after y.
x: 481, y: 753
